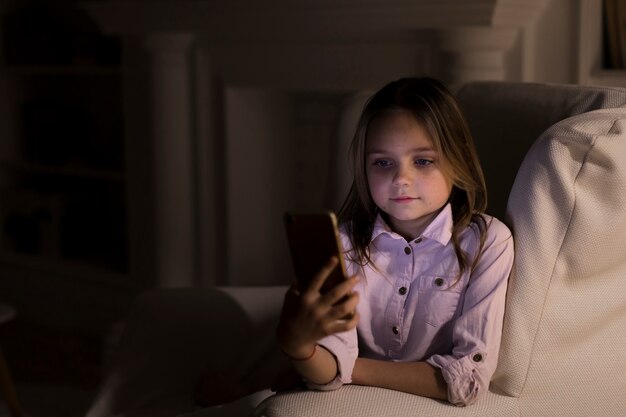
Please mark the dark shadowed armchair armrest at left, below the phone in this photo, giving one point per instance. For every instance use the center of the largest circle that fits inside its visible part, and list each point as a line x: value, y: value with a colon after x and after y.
x: 174, y: 336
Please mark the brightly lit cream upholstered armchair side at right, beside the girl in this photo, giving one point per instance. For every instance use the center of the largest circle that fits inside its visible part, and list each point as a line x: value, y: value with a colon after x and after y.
x: 565, y: 326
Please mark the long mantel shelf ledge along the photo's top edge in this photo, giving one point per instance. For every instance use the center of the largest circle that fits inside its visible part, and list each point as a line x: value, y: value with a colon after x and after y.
x: 244, y: 20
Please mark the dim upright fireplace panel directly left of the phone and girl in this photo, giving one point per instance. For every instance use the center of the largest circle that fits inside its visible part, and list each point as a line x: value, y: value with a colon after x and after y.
x: 260, y: 183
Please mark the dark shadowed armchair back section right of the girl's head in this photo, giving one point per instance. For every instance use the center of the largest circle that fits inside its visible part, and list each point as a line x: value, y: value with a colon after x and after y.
x: 505, y: 118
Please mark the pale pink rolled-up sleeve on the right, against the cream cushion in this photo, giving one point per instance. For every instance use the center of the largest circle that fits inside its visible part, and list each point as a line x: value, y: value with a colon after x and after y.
x: 468, y: 369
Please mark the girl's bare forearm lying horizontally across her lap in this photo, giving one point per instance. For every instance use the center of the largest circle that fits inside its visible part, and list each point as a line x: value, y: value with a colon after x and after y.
x: 418, y: 378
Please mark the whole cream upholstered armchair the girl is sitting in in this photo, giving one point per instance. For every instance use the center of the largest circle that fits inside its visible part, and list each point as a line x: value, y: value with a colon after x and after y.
x: 563, y: 350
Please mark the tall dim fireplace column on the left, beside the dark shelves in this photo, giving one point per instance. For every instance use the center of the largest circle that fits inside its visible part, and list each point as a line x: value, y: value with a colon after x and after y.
x: 170, y: 112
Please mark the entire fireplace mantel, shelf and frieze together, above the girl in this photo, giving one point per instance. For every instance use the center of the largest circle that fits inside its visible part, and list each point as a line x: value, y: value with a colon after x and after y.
x: 256, y: 43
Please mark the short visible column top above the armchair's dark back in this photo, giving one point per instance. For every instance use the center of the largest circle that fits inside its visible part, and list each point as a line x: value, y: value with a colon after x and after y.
x: 475, y: 53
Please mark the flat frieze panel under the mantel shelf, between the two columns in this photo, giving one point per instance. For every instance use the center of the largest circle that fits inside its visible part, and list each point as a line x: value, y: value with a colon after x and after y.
x: 321, y: 66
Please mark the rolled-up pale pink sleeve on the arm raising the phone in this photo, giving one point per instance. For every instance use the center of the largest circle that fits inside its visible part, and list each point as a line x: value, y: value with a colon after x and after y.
x: 344, y: 347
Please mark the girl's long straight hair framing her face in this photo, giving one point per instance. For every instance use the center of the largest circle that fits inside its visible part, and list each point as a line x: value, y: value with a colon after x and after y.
x: 434, y: 106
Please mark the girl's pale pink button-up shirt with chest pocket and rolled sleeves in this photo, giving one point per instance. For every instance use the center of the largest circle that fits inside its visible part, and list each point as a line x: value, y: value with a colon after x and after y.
x: 414, y: 307
